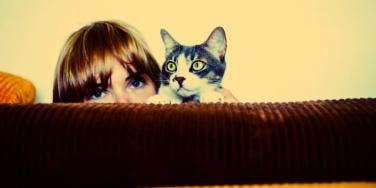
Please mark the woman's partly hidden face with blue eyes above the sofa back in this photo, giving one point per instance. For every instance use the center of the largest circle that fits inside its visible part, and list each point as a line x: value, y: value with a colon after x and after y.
x: 124, y: 87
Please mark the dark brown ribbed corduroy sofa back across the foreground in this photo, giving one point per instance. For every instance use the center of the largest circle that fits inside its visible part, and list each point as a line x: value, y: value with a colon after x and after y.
x: 65, y: 145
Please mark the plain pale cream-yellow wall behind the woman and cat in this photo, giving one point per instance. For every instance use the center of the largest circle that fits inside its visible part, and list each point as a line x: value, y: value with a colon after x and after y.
x: 289, y: 50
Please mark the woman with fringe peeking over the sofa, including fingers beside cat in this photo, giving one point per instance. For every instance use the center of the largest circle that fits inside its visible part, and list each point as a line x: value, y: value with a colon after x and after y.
x: 107, y: 62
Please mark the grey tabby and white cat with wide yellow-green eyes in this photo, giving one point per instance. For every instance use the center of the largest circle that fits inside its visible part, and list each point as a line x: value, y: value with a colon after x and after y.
x: 192, y: 73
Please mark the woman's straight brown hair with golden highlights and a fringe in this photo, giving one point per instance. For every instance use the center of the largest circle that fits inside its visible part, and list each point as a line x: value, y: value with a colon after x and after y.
x: 88, y: 52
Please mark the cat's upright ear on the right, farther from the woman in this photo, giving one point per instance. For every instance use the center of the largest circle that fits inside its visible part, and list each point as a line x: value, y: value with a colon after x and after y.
x: 216, y: 43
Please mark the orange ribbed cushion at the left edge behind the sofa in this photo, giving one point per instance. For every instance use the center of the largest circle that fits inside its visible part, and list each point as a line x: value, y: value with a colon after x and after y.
x: 14, y: 89
